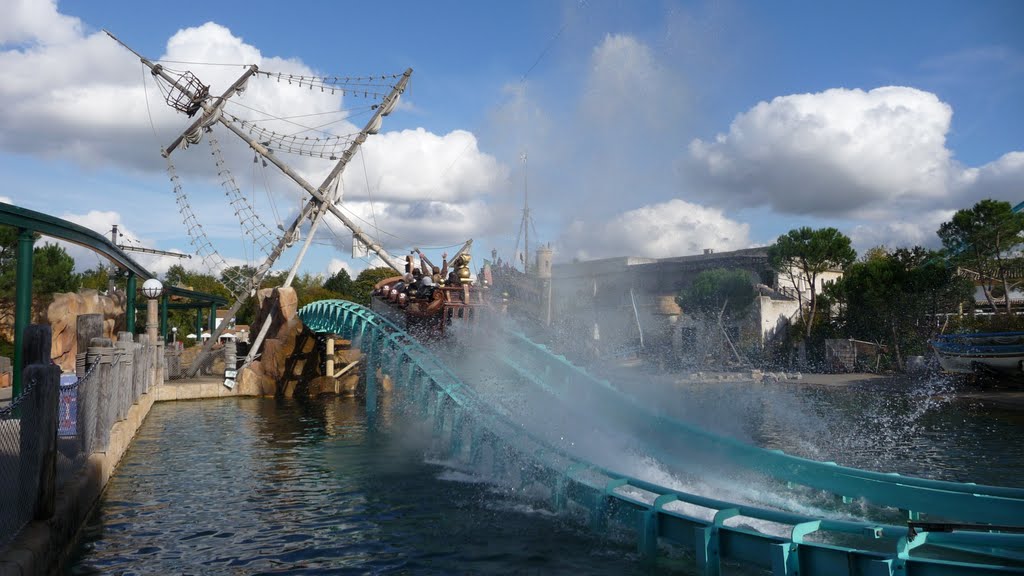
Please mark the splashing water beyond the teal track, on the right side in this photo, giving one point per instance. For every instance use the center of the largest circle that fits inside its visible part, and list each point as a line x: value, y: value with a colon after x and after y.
x: 925, y: 427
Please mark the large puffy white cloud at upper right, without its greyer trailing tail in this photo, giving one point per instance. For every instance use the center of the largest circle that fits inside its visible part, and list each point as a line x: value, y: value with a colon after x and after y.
x: 829, y: 154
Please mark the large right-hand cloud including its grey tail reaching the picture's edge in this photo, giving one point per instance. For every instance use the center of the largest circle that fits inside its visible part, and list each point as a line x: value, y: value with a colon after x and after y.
x: 878, y: 159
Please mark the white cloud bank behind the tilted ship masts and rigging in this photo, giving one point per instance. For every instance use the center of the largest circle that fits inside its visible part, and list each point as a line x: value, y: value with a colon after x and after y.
x: 80, y: 98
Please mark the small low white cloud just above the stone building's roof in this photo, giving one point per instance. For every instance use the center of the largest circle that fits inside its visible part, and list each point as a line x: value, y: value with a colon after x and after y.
x: 669, y: 229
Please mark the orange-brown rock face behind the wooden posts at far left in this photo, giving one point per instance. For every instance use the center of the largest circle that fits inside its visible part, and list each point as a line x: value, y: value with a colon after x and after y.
x: 63, y: 316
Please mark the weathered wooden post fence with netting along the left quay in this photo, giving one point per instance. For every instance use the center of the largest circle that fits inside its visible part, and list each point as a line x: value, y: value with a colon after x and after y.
x: 49, y: 432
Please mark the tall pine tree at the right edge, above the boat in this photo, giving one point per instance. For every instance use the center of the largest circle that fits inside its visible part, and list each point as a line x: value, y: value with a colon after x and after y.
x: 982, y: 239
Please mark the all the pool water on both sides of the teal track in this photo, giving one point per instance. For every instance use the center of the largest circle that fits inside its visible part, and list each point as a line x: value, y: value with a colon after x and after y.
x: 260, y: 486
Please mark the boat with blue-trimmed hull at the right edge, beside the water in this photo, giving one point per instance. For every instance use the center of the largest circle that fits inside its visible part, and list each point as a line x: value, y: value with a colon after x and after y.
x: 993, y: 353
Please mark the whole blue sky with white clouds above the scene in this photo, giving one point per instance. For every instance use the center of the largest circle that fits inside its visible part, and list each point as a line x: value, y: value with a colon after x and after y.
x: 644, y: 129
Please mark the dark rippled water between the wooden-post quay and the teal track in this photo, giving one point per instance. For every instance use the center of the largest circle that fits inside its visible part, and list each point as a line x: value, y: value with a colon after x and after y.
x: 248, y: 486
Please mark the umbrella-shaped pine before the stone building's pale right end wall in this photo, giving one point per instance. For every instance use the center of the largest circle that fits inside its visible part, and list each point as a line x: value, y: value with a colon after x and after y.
x: 803, y: 255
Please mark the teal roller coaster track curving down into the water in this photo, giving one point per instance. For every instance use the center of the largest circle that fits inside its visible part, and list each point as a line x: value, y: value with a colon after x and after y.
x: 471, y: 430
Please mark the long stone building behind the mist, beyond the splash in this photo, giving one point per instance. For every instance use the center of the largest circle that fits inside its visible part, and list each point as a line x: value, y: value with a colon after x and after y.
x: 618, y: 307
